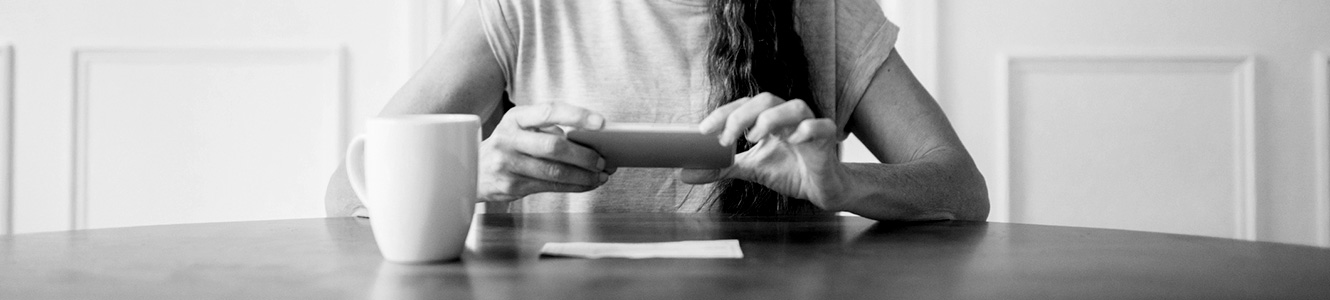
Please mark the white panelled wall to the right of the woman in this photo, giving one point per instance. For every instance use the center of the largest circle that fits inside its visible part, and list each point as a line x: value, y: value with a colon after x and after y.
x: 1179, y: 116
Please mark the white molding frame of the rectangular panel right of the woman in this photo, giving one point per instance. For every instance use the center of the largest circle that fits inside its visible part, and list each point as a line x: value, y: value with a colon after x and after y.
x: 1244, y: 78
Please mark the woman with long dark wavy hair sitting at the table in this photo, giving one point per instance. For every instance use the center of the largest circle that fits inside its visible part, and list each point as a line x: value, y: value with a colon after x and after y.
x: 785, y: 80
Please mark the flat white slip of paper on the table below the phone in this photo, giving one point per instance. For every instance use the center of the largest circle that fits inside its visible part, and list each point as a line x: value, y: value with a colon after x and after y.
x: 726, y: 249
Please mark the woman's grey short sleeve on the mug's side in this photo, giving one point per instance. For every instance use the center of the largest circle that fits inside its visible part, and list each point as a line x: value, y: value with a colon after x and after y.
x: 498, y: 21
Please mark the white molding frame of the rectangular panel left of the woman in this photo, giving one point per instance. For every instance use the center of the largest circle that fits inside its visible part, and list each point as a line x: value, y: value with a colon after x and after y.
x: 87, y: 58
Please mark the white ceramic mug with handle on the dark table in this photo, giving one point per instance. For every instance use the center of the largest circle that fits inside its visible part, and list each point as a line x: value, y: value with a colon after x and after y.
x: 417, y: 177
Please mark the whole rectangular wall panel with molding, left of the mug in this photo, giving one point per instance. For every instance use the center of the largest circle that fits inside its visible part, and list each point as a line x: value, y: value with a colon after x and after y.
x: 207, y: 135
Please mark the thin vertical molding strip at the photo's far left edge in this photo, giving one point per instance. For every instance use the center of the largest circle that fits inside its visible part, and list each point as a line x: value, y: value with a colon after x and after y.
x: 7, y: 104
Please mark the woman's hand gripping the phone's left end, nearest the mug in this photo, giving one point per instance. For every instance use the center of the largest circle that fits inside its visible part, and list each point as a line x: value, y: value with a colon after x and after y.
x: 527, y: 153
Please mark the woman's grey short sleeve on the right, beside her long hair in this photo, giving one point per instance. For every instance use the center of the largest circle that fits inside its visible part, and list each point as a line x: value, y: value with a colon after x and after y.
x: 865, y: 39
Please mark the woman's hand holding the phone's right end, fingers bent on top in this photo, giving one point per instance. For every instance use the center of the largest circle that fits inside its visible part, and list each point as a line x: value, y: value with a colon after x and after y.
x: 796, y: 155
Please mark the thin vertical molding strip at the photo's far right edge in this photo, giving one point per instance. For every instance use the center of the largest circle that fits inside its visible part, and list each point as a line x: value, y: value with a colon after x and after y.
x: 1321, y: 120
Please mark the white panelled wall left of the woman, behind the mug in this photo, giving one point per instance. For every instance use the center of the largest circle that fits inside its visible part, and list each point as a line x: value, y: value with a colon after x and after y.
x: 148, y: 112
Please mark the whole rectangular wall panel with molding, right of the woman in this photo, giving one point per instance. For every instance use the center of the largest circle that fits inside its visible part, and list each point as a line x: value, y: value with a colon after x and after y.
x: 1164, y: 140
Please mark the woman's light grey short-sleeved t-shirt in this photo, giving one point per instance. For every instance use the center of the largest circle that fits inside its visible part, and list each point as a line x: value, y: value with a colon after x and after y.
x: 646, y: 62
